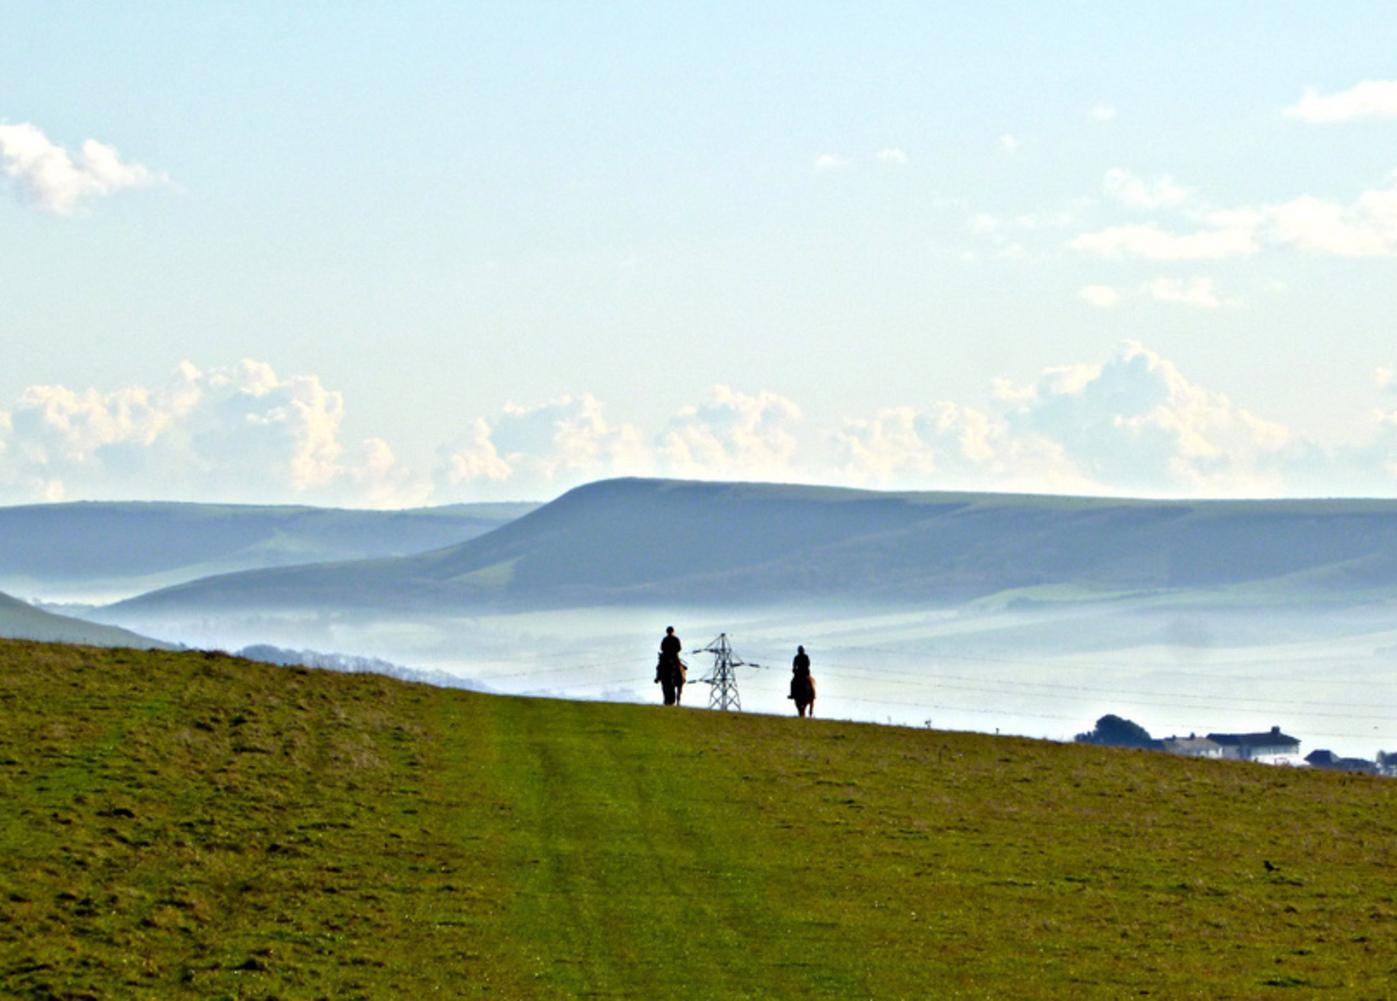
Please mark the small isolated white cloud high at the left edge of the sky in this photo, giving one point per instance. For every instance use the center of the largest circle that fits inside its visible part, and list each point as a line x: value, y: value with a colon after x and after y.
x: 48, y: 177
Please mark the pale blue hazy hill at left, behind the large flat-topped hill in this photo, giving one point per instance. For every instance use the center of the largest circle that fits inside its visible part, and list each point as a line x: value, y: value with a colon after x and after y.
x: 126, y: 548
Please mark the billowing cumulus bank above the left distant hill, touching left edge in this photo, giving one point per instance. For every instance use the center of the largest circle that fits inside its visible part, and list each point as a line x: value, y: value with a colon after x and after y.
x: 240, y: 433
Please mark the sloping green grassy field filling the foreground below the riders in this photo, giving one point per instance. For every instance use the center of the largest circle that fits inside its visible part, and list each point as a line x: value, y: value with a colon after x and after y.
x: 193, y: 826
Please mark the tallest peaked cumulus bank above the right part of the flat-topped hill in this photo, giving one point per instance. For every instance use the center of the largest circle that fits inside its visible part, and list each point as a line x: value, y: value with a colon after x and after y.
x: 1134, y: 424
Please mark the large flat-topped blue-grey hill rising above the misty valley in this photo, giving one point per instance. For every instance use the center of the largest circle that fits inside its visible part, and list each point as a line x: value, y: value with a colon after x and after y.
x: 641, y: 542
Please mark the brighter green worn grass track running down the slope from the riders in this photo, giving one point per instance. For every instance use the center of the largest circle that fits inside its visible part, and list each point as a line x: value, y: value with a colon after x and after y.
x: 628, y: 869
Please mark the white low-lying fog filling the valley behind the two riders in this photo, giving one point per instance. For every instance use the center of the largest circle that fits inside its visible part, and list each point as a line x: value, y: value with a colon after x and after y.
x: 1325, y: 679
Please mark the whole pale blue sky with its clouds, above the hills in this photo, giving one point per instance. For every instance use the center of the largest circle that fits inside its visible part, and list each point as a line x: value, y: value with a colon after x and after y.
x: 404, y: 255
